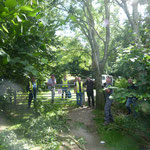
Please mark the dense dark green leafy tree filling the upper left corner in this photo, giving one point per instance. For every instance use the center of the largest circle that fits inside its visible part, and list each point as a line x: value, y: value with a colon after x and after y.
x: 28, y: 38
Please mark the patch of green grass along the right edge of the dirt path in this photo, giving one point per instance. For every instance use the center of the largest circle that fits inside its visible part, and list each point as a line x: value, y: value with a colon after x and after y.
x: 115, y: 137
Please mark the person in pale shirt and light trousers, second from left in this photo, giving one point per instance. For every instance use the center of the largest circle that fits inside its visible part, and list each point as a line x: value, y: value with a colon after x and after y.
x: 51, y: 86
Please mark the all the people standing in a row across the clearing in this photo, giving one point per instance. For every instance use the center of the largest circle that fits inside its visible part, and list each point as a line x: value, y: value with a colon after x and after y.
x: 79, y: 90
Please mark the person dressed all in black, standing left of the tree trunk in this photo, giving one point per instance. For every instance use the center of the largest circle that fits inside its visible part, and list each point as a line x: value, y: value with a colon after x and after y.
x: 90, y: 93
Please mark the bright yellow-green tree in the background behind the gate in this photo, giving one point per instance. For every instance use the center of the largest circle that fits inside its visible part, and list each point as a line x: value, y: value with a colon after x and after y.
x: 72, y: 58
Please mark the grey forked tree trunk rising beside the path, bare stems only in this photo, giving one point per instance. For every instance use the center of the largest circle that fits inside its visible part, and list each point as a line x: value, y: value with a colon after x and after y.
x: 89, y: 30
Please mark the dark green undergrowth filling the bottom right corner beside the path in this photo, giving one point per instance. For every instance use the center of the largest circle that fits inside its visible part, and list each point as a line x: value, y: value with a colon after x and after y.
x: 126, y: 133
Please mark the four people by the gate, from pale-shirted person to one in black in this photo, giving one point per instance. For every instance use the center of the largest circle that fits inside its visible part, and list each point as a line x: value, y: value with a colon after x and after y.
x: 79, y: 89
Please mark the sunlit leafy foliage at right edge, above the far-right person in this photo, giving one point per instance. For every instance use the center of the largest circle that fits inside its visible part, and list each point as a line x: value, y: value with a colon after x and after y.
x: 133, y: 62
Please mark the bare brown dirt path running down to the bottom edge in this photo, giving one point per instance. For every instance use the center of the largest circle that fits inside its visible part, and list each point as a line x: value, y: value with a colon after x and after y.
x: 82, y: 125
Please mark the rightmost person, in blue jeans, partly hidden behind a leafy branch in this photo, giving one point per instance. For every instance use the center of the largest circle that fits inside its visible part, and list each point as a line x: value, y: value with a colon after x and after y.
x: 131, y: 99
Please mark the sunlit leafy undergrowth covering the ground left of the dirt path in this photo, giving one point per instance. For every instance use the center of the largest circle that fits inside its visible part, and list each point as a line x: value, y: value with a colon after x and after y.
x: 41, y: 126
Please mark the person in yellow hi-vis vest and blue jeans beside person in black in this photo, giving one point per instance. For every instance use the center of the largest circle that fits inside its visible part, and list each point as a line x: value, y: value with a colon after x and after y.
x: 79, y: 91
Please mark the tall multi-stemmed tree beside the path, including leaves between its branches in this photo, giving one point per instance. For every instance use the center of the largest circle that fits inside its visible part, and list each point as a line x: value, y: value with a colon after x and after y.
x: 86, y: 17
